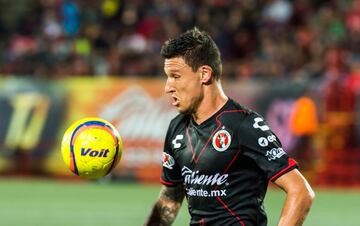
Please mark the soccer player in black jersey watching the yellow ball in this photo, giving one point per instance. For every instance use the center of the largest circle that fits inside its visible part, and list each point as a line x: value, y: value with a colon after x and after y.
x: 219, y: 154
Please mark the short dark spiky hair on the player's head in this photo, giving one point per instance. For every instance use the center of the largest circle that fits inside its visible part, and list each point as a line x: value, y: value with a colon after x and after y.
x: 196, y: 48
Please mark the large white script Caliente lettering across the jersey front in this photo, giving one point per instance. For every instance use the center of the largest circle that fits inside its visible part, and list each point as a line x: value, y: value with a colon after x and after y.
x: 194, y: 177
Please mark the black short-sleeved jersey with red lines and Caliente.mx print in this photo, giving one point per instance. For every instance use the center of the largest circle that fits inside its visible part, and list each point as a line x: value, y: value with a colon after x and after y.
x: 225, y: 164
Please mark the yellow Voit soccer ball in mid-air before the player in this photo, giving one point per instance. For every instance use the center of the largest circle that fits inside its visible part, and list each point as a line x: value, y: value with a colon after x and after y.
x: 91, y: 147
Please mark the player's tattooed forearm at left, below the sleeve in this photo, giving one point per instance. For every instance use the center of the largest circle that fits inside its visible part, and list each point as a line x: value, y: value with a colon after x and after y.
x: 167, y: 206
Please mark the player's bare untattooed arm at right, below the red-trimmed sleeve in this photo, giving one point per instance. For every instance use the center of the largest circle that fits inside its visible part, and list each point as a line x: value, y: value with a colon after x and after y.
x: 298, y: 200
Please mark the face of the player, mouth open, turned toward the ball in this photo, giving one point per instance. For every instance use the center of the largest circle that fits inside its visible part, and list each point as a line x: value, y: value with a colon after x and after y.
x: 183, y: 85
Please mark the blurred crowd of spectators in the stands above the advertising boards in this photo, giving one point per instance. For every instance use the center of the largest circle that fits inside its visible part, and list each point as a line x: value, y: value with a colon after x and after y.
x: 258, y: 39
